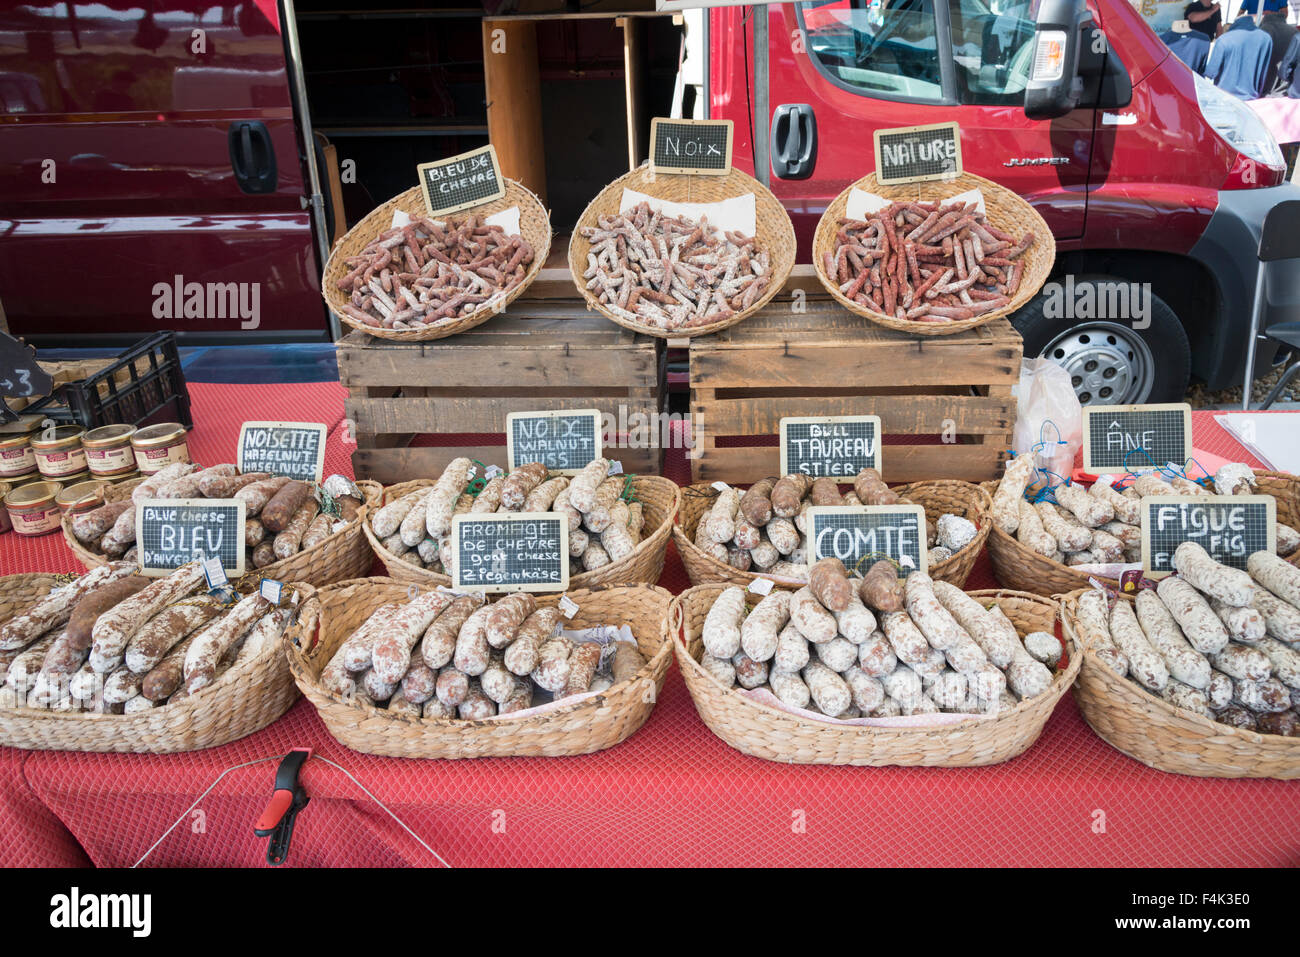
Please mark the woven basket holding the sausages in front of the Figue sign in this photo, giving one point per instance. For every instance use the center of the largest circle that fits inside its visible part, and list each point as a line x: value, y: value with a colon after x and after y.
x: 1149, y: 729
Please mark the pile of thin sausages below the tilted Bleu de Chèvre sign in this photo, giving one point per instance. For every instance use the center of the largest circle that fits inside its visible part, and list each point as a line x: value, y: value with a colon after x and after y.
x: 423, y: 274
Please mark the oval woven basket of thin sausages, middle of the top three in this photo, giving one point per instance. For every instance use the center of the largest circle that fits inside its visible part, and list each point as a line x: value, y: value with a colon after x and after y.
x: 774, y: 235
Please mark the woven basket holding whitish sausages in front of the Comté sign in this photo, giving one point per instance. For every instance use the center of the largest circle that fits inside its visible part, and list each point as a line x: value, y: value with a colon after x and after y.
x: 769, y: 733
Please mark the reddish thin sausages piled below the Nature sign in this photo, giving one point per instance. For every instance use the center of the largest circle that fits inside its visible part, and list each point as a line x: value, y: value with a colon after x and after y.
x: 928, y: 262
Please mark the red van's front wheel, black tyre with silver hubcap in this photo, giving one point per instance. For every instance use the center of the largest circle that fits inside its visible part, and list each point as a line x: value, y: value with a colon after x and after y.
x: 1110, y: 362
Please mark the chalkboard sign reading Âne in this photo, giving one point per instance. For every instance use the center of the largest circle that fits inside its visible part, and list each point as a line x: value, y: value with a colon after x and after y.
x: 1136, y: 438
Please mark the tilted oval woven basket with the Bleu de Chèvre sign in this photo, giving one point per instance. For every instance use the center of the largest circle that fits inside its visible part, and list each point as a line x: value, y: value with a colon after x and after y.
x: 535, y: 226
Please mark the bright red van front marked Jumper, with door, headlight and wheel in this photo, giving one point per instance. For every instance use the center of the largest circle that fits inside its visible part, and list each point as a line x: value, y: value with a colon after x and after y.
x: 1159, y: 179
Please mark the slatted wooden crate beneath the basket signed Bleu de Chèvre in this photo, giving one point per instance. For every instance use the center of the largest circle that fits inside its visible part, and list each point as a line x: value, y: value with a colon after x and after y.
x: 539, y: 356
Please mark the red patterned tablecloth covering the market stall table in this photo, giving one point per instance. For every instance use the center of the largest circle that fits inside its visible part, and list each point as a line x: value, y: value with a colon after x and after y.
x: 671, y: 795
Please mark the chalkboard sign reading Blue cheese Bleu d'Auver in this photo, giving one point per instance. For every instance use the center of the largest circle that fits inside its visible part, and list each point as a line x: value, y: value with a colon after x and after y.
x: 172, y: 532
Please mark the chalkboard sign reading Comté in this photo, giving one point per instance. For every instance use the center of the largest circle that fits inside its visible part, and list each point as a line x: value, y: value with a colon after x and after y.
x: 860, y: 535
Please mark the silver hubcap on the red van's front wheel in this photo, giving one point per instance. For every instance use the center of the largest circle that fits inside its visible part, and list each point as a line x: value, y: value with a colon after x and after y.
x: 1108, y: 365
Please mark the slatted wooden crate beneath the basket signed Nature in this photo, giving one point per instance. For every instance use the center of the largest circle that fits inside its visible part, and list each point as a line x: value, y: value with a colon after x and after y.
x: 829, y: 362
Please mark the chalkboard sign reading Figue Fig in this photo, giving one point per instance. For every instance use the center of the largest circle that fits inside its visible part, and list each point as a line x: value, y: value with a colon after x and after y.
x: 1230, y: 529
